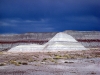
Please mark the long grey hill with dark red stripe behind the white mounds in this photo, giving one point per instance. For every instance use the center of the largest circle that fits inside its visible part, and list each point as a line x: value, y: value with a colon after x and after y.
x: 89, y: 39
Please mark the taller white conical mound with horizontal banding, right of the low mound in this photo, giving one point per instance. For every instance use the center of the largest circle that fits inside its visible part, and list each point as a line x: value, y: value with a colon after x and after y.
x: 63, y: 41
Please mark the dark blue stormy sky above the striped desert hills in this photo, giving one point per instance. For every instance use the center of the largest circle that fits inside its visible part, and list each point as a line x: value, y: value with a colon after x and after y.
x: 20, y: 16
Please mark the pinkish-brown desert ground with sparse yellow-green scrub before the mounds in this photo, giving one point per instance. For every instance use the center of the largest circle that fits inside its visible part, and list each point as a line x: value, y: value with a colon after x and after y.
x: 51, y: 63
